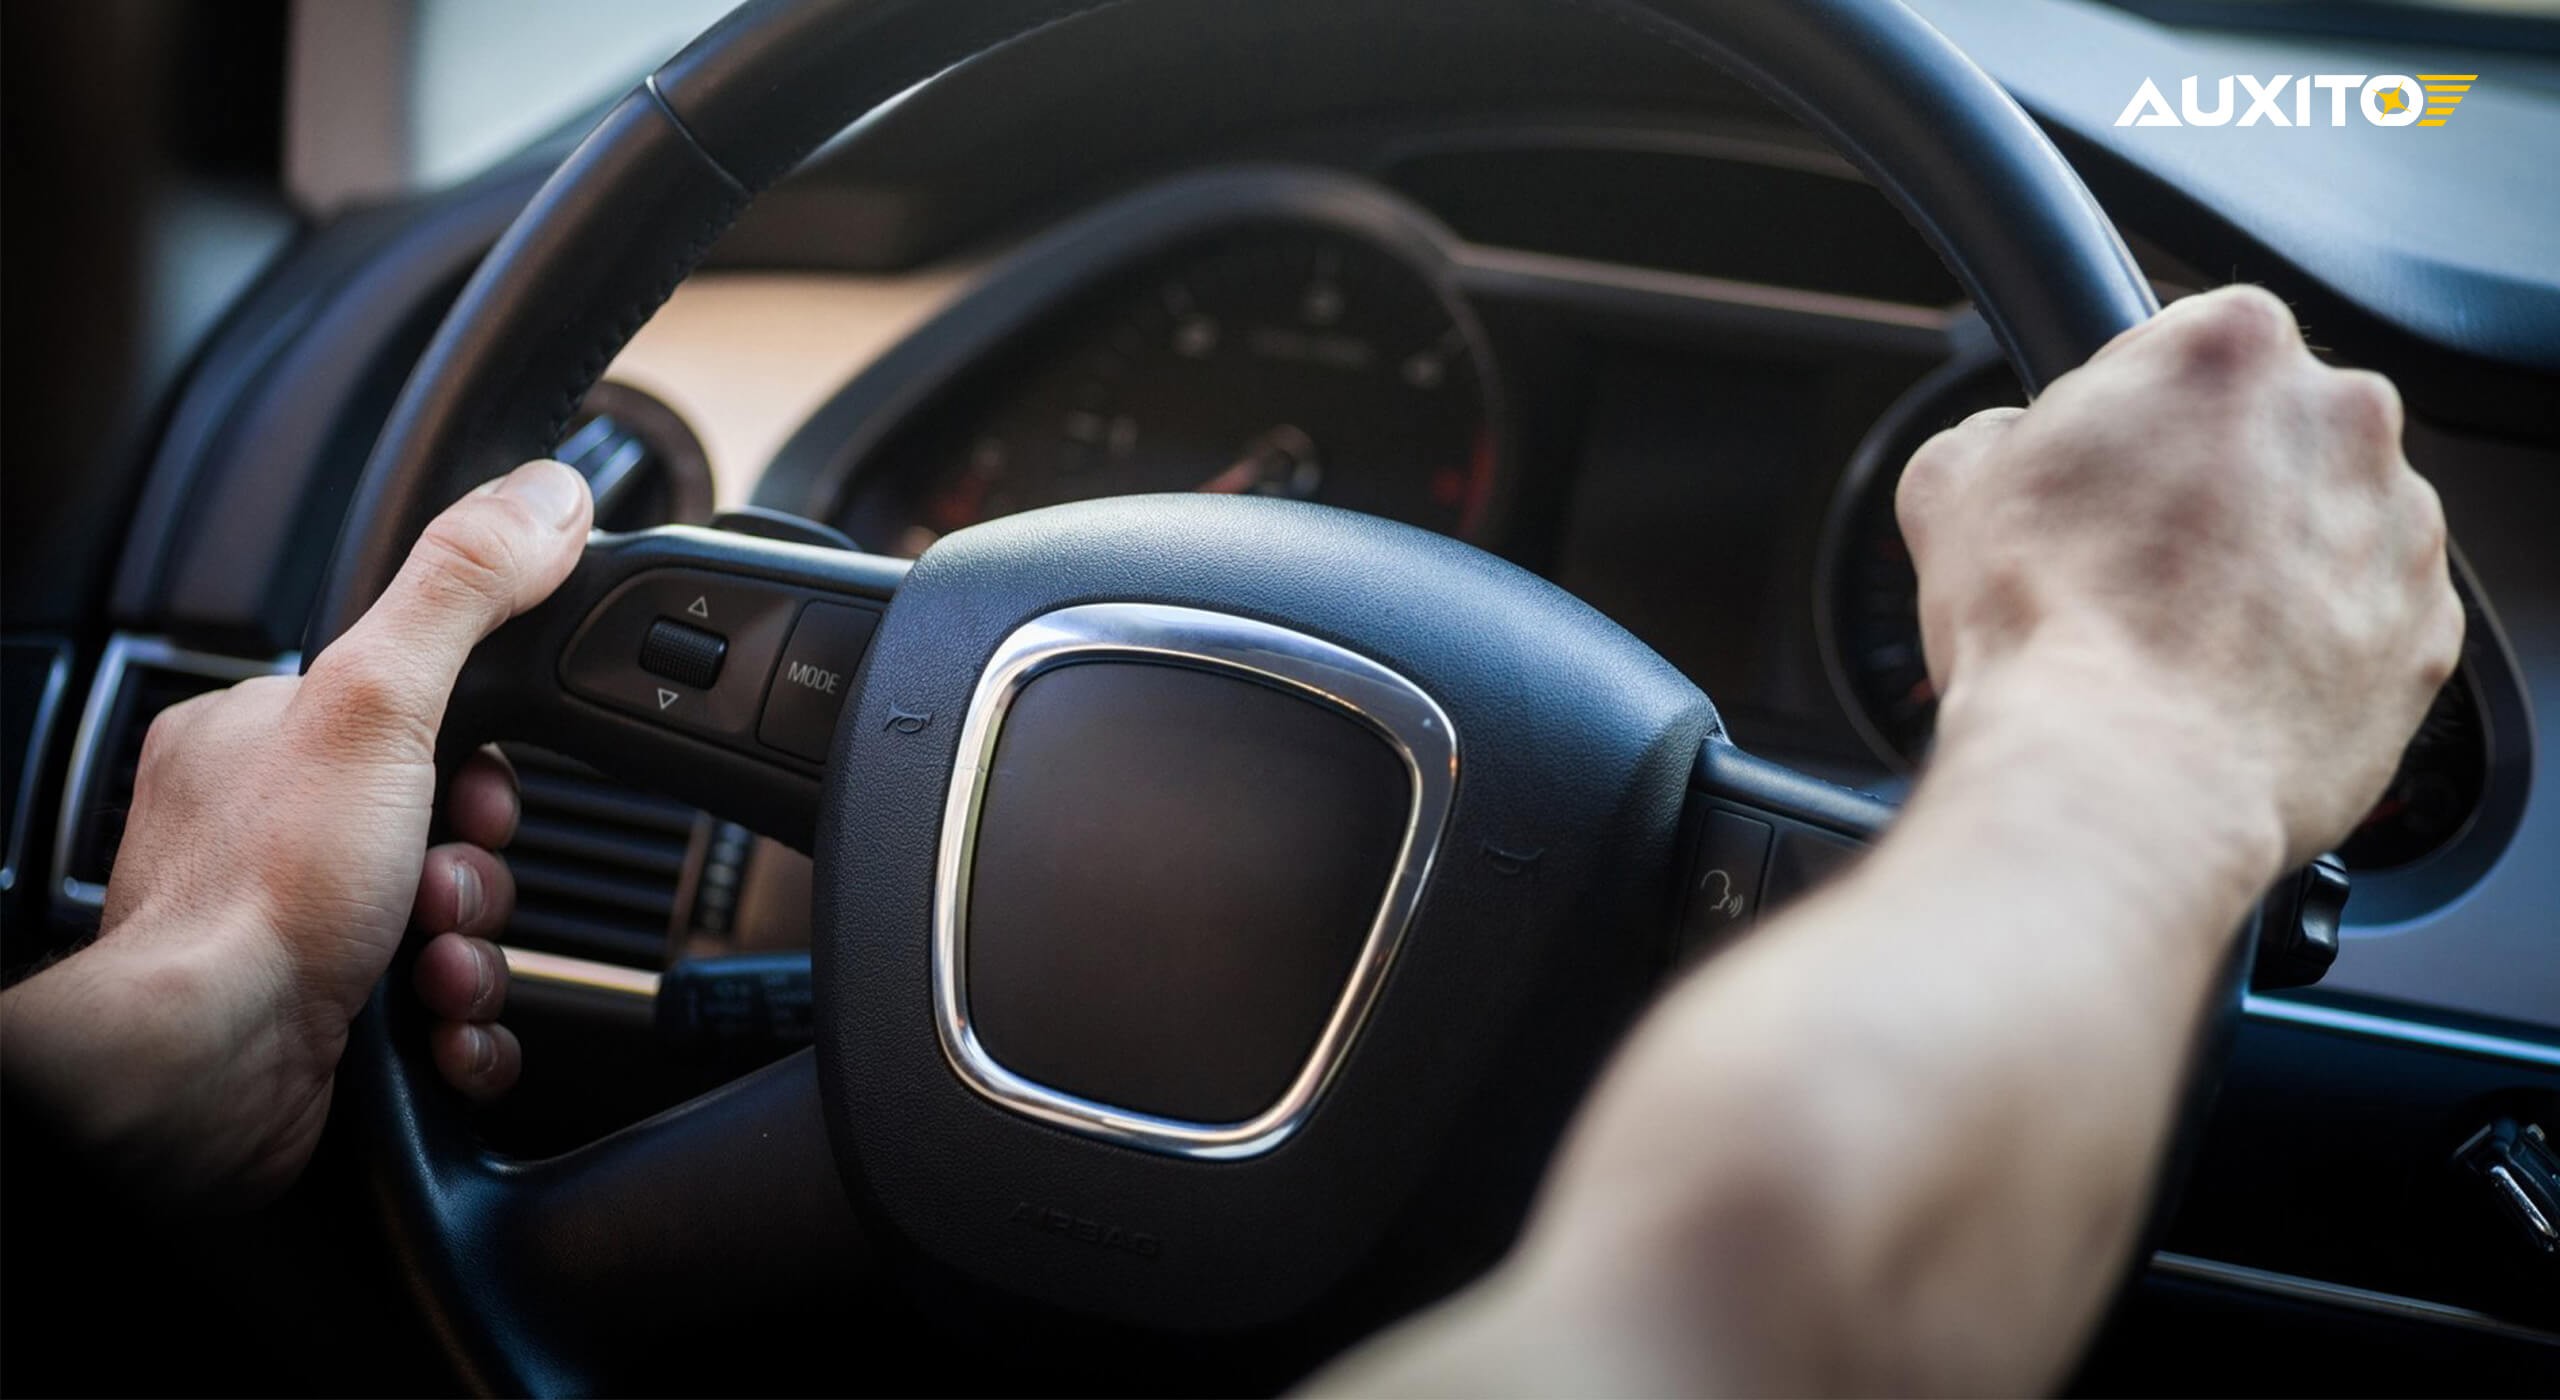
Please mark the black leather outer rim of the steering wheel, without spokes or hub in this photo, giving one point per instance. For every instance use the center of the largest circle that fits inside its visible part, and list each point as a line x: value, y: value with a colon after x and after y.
x: 641, y: 201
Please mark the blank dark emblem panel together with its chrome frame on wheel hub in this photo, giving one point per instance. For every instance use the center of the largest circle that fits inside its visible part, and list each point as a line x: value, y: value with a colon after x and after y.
x: 1187, y: 848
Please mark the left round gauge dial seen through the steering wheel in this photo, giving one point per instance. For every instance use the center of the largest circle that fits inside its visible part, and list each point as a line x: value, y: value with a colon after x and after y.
x: 1281, y: 362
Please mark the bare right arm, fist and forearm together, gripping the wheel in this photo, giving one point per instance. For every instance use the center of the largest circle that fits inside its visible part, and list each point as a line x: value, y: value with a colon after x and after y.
x: 2185, y: 616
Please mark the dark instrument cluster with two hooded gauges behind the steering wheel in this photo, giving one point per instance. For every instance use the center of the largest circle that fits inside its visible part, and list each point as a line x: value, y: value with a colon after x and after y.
x: 1320, y: 337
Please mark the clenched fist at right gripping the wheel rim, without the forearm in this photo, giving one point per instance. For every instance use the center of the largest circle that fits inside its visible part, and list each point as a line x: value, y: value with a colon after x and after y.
x: 2216, y: 521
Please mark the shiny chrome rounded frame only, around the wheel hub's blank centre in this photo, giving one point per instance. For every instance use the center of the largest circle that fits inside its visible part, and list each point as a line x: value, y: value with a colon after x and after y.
x: 1409, y: 720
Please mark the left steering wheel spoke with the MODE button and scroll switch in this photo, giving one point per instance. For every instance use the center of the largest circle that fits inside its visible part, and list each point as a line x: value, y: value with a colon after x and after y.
x: 698, y: 664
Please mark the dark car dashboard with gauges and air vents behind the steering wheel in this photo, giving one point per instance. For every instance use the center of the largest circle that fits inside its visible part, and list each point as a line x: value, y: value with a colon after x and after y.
x: 1507, y: 283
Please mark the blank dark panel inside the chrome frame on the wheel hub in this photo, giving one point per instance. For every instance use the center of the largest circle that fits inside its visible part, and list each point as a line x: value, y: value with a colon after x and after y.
x: 1174, y: 877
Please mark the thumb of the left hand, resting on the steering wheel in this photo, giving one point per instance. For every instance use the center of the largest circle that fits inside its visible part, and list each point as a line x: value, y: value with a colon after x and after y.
x: 483, y: 562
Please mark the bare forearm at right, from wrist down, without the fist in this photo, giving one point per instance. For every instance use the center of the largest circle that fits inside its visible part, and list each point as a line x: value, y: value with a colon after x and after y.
x: 1901, y: 1140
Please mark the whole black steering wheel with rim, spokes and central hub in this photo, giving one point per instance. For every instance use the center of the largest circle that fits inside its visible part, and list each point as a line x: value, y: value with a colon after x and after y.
x: 1220, y: 902
